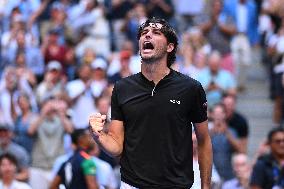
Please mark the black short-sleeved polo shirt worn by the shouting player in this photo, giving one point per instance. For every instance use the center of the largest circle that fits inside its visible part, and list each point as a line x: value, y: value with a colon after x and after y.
x: 157, y: 150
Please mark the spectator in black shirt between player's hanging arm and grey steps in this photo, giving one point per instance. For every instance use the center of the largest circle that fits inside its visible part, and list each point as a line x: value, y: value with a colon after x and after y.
x: 236, y: 121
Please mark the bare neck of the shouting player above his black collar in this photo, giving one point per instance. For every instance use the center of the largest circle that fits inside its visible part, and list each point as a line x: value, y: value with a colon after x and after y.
x: 155, y: 72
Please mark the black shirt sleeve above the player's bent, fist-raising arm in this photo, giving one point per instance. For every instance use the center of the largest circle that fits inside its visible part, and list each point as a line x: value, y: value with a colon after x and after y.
x: 116, y: 113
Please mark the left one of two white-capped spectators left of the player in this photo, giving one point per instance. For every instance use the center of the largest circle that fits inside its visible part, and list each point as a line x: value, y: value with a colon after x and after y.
x: 52, y: 84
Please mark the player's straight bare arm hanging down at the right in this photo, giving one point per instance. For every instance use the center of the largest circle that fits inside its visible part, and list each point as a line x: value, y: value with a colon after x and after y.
x: 204, y: 153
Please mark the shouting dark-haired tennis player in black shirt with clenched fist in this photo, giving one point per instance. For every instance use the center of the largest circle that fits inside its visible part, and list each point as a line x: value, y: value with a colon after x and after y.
x: 151, y: 117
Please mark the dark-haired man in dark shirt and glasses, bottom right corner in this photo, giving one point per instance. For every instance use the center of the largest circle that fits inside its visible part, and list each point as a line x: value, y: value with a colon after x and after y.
x: 268, y: 170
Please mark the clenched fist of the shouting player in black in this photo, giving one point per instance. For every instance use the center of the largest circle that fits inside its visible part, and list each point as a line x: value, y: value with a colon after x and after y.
x: 96, y: 122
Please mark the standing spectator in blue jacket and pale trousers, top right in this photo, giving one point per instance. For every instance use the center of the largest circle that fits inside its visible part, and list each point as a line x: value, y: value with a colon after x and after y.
x: 245, y: 18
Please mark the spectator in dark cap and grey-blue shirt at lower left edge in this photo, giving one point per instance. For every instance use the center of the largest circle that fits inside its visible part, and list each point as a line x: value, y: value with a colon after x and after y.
x: 8, y: 146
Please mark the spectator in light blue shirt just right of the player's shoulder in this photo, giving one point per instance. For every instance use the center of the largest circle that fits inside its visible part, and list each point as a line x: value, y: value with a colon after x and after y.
x: 216, y: 81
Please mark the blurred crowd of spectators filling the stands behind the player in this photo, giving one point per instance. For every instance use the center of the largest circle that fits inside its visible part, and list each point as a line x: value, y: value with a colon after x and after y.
x: 59, y: 60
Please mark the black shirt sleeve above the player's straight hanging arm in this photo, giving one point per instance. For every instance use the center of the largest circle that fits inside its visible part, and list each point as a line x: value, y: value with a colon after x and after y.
x: 199, y: 105
